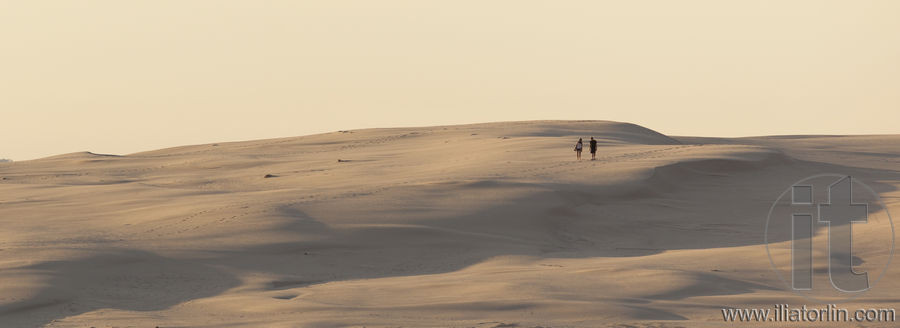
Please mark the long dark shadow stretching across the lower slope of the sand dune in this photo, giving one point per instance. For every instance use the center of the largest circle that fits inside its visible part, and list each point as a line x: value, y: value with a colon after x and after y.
x: 561, y: 221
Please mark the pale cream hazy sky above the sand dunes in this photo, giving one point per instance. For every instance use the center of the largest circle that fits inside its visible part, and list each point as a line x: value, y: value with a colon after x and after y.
x: 127, y: 76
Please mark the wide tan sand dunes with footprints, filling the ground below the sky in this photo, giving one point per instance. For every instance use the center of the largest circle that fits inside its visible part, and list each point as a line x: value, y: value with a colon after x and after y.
x: 483, y: 225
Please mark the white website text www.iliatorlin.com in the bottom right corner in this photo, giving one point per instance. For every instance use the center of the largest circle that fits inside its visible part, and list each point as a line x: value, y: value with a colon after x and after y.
x: 830, y: 313
